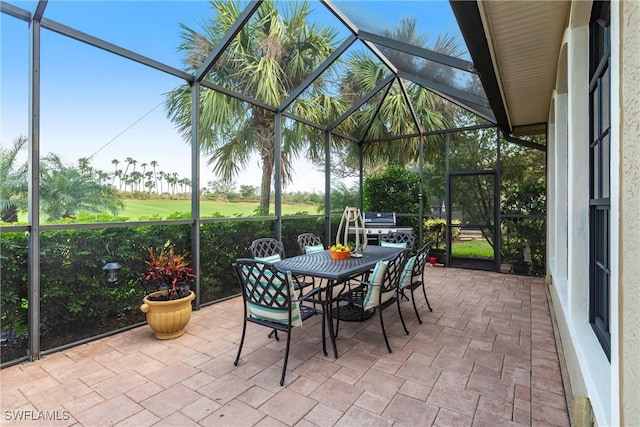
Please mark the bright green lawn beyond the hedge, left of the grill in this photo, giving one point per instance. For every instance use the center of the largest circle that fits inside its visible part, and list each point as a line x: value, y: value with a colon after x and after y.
x: 134, y: 208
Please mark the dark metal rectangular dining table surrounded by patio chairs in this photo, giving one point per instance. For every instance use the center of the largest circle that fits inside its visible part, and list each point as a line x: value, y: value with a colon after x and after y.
x: 321, y: 265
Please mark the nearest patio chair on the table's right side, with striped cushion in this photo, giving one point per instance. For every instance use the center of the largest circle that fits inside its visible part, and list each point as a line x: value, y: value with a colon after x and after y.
x: 380, y: 292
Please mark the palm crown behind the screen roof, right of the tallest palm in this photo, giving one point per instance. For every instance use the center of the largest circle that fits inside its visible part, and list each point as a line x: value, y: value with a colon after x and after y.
x: 394, y: 117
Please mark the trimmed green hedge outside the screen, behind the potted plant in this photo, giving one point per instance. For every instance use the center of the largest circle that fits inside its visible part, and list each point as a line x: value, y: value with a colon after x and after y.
x: 76, y: 302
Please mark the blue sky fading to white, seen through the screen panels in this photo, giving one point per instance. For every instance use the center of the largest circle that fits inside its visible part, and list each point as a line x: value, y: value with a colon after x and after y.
x: 100, y: 105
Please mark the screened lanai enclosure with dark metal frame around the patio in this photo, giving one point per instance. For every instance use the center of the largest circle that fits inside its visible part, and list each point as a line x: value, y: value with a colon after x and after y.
x: 115, y: 113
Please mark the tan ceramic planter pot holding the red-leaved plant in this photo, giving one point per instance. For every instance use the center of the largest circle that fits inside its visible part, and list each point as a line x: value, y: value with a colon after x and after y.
x: 168, y: 318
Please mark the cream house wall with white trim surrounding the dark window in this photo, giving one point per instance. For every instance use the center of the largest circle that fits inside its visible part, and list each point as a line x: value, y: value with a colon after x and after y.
x: 613, y: 387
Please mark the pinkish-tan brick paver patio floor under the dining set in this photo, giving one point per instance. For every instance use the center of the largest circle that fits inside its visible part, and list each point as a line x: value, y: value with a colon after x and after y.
x: 485, y: 356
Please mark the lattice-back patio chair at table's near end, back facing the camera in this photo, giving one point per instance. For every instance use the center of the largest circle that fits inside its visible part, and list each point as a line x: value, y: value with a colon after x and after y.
x: 270, y: 300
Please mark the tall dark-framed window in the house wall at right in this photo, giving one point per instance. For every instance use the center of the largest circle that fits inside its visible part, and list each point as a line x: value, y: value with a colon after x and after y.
x: 599, y: 173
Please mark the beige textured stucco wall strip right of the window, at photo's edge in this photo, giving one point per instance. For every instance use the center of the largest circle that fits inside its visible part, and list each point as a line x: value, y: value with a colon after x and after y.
x: 629, y: 176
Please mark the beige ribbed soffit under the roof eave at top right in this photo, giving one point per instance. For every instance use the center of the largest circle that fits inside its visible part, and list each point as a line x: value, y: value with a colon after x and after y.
x: 525, y: 38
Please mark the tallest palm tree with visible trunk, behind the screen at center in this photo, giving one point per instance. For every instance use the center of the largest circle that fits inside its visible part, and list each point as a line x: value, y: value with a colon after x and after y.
x: 267, y: 60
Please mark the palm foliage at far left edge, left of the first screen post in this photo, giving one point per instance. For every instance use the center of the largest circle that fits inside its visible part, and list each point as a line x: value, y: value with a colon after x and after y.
x: 13, y: 176
